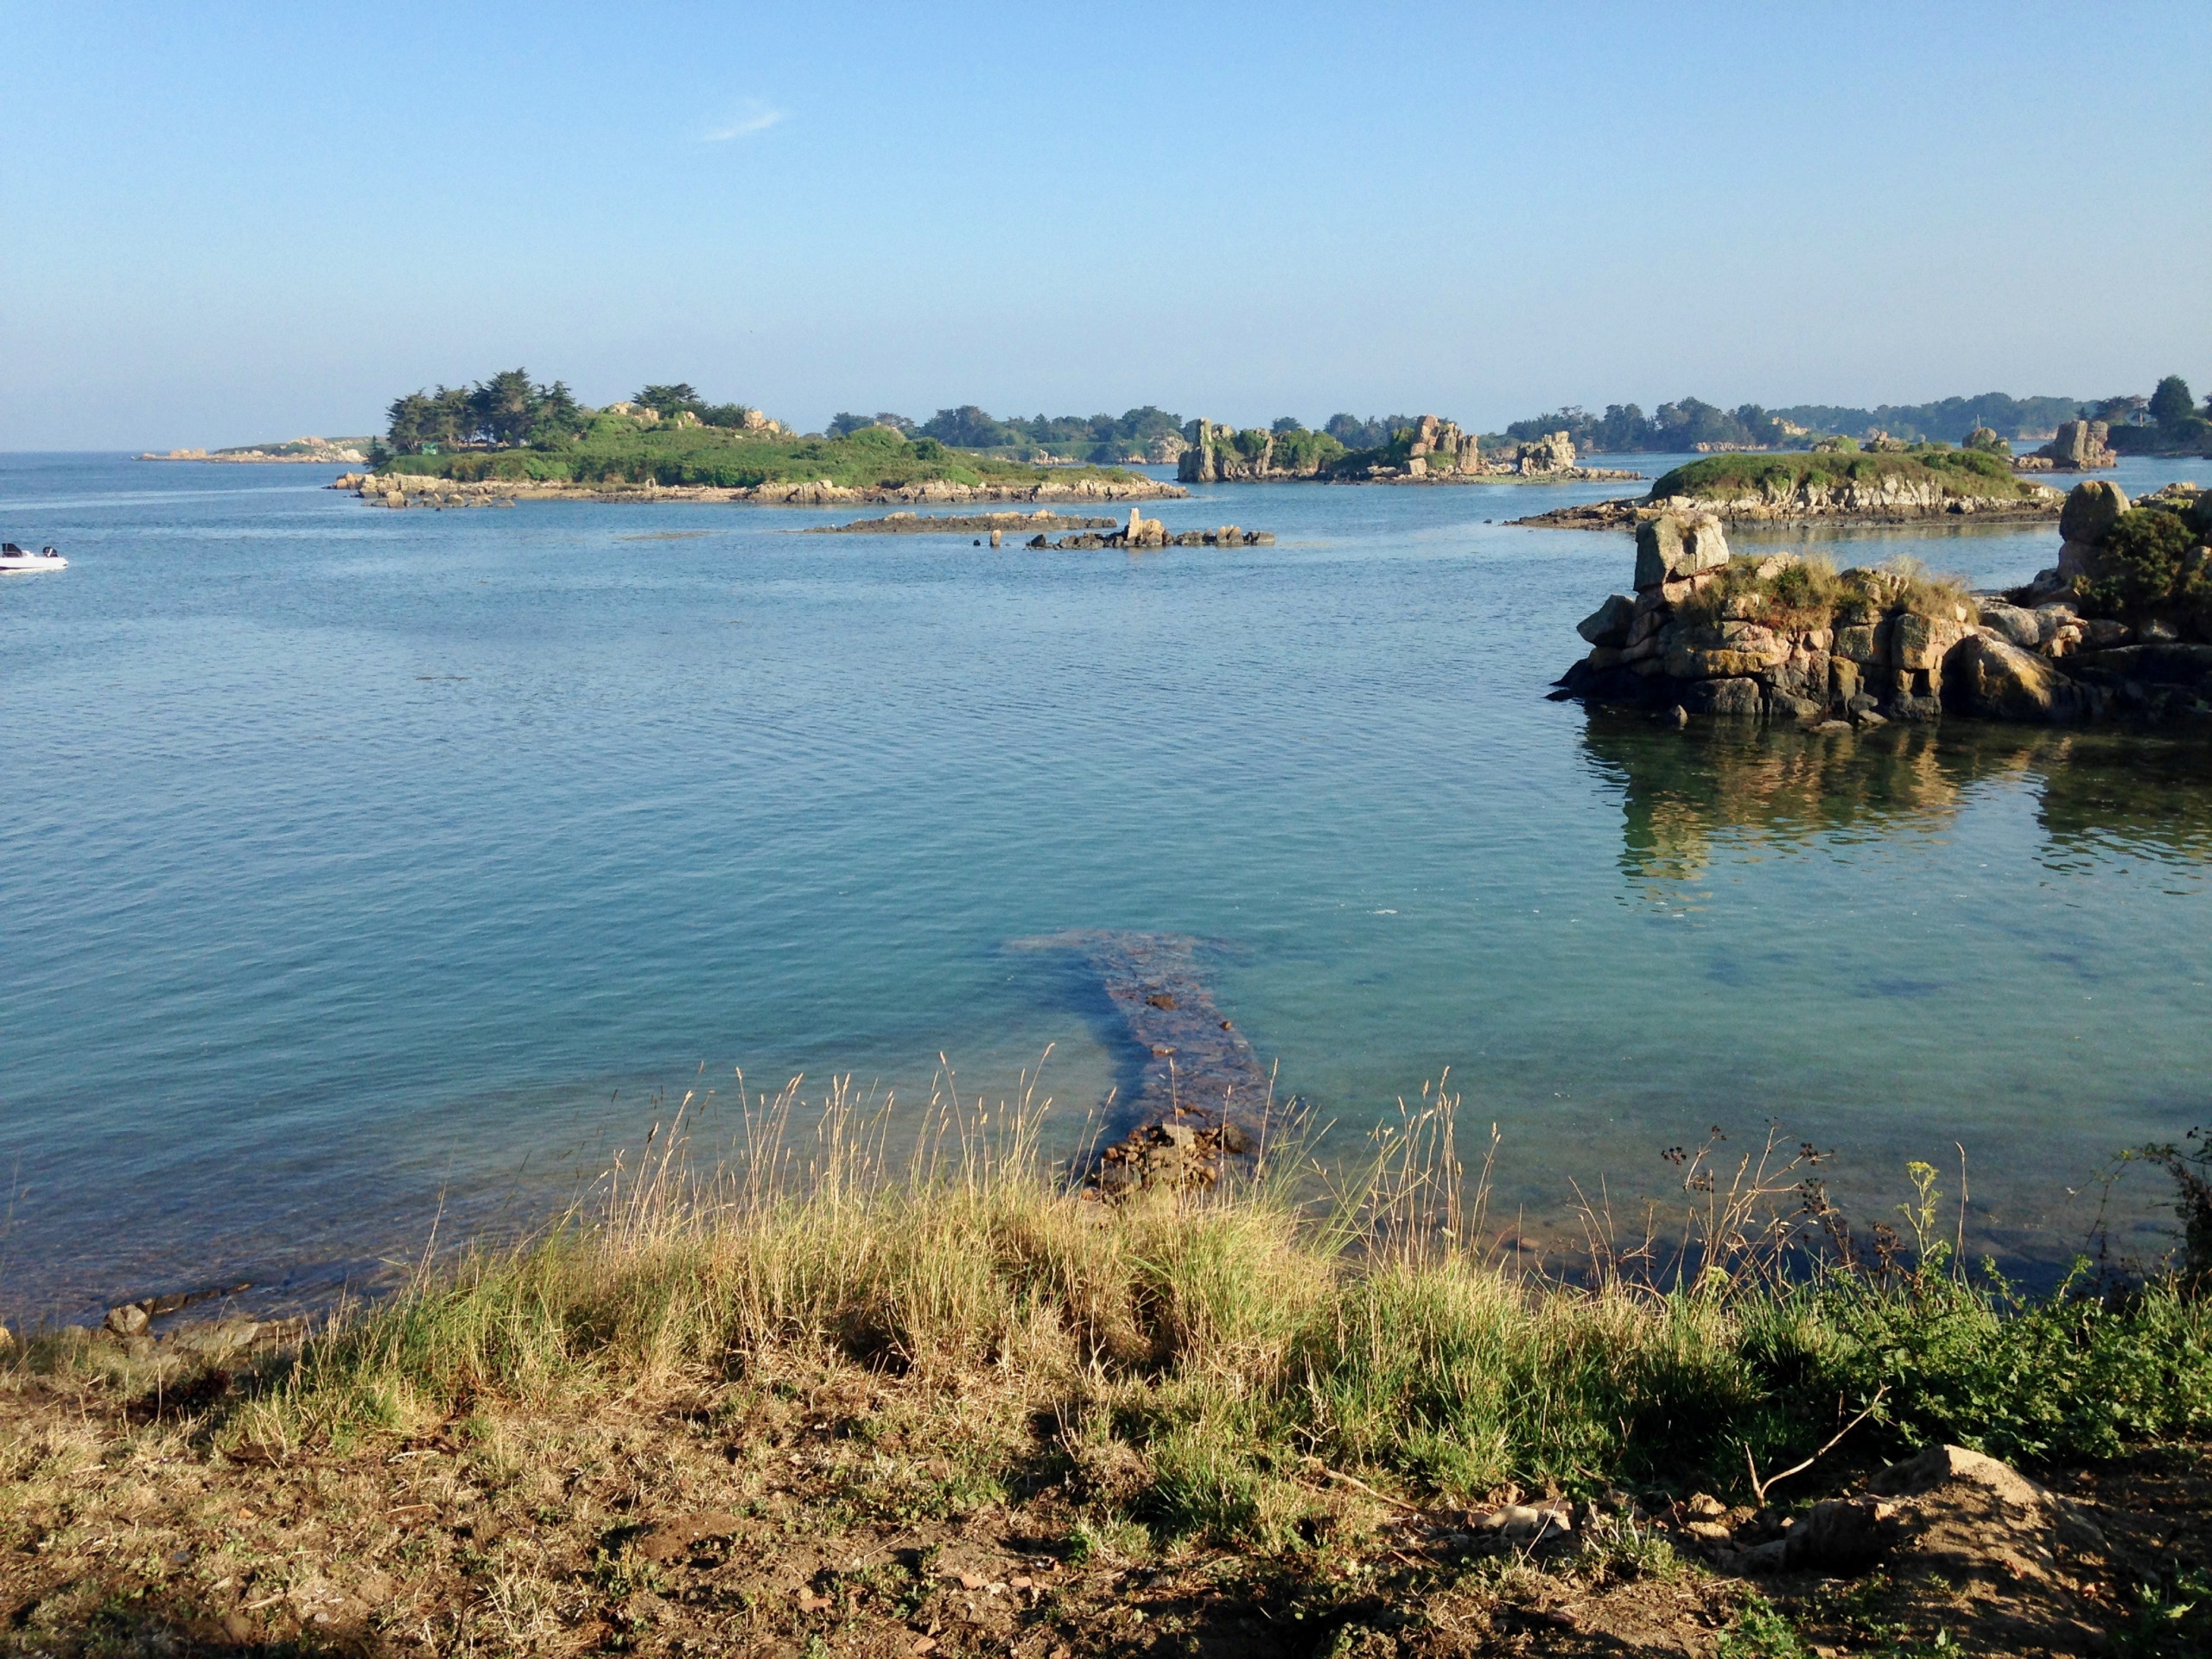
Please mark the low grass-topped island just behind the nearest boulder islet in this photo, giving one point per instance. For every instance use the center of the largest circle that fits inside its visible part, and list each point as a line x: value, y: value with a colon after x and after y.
x: 1830, y: 488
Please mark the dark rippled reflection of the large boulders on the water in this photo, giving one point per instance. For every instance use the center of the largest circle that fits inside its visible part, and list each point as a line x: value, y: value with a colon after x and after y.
x: 1738, y: 786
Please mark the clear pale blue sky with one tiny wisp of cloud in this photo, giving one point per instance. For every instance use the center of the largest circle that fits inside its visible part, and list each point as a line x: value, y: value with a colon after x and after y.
x: 238, y: 222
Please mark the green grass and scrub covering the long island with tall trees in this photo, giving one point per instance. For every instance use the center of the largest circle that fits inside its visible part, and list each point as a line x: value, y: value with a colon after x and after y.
x: 620, y: 450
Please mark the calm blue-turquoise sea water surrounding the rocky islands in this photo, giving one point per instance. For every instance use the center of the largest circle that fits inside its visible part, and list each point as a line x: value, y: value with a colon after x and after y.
x: 362, y: 862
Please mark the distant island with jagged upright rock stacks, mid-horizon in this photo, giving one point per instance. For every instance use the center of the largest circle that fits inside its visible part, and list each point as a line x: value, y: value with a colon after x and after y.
x: 1428, y: 450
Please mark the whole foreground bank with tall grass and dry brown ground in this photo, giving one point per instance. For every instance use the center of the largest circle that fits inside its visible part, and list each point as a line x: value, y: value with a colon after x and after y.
x: 824, y: 1406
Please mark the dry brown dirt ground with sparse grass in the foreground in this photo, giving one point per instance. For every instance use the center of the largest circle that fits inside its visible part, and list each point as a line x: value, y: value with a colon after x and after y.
x: 848, y: 1514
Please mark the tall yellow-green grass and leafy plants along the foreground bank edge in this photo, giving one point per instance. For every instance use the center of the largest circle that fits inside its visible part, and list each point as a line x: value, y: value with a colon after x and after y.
x: 1215, y: 1350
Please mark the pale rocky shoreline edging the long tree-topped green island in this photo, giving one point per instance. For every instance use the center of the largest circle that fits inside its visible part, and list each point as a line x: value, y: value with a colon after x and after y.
x: 415, y: 490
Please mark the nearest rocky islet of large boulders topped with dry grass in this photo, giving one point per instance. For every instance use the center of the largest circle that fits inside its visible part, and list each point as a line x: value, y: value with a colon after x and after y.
x: 2118, y: 627
